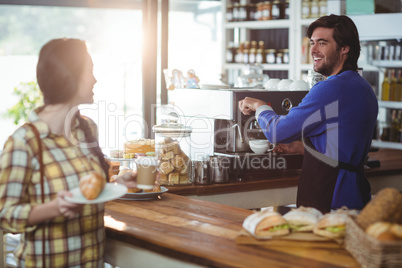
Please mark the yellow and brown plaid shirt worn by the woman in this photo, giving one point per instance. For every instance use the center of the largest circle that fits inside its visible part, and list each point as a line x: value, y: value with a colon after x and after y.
x: 76, y: 242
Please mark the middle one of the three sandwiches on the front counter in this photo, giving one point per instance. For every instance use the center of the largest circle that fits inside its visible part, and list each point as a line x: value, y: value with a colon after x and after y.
x: 302, y: 219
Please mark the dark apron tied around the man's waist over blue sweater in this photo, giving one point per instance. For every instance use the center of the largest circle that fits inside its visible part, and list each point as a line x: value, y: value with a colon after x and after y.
x: 318, y: 179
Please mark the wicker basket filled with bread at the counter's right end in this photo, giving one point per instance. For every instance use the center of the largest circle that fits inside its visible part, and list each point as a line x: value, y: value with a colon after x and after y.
x: 373, y: 237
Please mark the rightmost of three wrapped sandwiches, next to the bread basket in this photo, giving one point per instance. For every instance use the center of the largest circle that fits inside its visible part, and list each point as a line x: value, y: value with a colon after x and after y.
x: 331, y: 225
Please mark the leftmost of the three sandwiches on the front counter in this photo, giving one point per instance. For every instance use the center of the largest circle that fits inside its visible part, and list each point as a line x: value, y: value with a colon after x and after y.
x: 265, y: 224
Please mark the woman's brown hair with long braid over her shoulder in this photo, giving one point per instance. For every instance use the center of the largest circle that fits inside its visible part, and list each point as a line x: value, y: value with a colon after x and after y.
x: 59, y: 70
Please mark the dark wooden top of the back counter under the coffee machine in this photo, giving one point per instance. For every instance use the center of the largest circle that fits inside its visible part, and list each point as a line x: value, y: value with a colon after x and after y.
x: 390, y: 165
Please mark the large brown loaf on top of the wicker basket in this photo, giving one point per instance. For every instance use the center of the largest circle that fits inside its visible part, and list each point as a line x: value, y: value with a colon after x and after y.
x: 386, y: 206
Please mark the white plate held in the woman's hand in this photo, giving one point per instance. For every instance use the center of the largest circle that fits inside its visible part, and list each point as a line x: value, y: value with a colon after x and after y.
x: 110, y: 192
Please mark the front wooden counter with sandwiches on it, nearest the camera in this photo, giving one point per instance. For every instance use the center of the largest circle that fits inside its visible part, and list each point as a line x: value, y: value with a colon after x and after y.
x: 183, y: 232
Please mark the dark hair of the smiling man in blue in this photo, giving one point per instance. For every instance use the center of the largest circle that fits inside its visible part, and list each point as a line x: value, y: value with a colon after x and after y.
x: 345, y: 34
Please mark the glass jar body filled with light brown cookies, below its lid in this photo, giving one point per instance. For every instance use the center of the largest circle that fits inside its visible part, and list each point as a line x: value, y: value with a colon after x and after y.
x: 174, y: 165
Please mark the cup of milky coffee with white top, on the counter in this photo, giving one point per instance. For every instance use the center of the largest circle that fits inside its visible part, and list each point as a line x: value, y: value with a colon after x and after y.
x: 147, y: 170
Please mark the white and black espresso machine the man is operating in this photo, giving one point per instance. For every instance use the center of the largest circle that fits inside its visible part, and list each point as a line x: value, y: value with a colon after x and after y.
x: 229, y: 130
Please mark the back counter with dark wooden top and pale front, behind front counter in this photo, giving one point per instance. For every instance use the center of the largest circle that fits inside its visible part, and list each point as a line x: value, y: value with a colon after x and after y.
x: 280, y: 187
